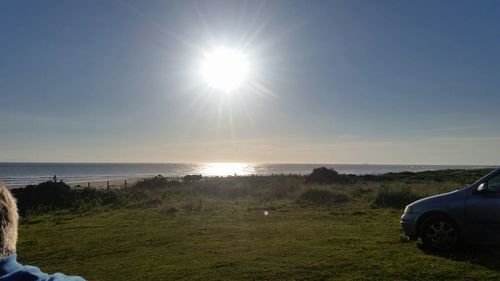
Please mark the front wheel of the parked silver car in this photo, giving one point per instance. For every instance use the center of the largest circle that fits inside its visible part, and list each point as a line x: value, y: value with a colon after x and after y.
x: 440, y: 233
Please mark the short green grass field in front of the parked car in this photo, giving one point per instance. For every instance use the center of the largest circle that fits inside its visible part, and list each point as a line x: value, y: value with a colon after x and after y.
x: 216, y: 230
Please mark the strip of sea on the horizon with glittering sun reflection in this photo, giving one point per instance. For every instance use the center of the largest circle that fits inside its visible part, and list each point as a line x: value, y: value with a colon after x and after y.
x: 19, y: 174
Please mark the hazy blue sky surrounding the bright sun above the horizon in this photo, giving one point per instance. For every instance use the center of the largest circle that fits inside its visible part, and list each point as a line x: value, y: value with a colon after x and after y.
x: 378, y: 82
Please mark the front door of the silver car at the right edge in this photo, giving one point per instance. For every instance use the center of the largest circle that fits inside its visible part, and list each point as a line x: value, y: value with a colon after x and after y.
x: 482, y: 211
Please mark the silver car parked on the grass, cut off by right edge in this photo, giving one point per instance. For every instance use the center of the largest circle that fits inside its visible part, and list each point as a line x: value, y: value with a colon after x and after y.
x: 470, y: 214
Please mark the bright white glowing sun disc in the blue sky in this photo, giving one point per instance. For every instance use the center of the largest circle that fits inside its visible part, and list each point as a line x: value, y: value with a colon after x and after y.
x: 225, y: 69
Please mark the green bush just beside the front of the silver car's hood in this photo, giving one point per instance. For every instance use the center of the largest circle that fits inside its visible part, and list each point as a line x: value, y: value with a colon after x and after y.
x: 394, y: 198
